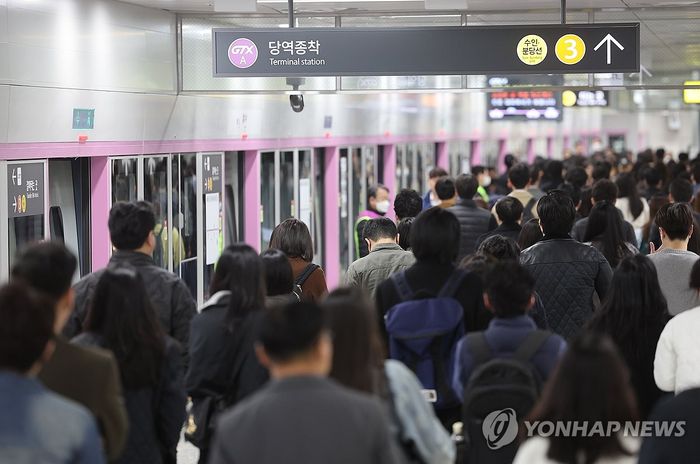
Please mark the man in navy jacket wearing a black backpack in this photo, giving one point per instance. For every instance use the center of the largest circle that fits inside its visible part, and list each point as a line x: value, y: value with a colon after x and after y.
x: 506, y: 365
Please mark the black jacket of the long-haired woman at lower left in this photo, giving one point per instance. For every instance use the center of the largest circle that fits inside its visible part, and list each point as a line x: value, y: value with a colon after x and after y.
x: 156, y: 414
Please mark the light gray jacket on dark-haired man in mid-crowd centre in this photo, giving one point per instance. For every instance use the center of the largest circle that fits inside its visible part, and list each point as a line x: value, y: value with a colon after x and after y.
x: 381, y: 263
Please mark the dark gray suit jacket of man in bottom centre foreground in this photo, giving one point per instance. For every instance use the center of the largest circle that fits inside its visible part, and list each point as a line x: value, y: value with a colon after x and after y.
x: 304, y: 420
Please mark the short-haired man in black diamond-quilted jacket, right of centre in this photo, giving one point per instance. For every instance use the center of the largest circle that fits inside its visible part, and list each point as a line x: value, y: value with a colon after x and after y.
x: 568, y: 273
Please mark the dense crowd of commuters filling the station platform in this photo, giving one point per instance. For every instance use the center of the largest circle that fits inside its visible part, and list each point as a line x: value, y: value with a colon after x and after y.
x: 558, y: 291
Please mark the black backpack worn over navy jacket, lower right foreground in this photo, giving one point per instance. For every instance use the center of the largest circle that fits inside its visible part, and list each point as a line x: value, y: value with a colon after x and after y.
x: 510, y: 385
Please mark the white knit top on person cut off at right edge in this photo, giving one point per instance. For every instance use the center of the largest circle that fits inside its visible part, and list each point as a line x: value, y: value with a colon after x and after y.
x: 677, y: 360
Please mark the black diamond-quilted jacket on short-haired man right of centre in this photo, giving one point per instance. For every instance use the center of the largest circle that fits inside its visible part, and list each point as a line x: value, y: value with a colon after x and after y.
x: 567, y: 273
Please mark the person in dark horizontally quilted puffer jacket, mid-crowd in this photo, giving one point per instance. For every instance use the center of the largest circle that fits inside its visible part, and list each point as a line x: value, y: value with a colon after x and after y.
x: 473, y: 221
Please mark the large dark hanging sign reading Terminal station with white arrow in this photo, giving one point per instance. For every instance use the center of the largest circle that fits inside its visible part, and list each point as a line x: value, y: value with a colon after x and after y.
x: 546, y: 49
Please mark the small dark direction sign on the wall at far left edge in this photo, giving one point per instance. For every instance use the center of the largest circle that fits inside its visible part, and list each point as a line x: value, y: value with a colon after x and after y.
x: 25, y: 189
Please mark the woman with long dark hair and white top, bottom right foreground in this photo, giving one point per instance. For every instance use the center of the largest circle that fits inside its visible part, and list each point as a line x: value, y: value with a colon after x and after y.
x: 590, y: 385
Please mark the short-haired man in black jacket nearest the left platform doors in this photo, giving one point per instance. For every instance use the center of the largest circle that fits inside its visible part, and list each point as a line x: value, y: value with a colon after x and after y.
x: 131, y: 227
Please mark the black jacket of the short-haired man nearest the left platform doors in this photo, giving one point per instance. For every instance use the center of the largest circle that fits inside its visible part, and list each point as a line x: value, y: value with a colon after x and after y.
x: 169, y: 296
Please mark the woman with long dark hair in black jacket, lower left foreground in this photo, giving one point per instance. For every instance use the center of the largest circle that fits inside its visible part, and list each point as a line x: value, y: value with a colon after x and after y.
x: 121, y: 319
